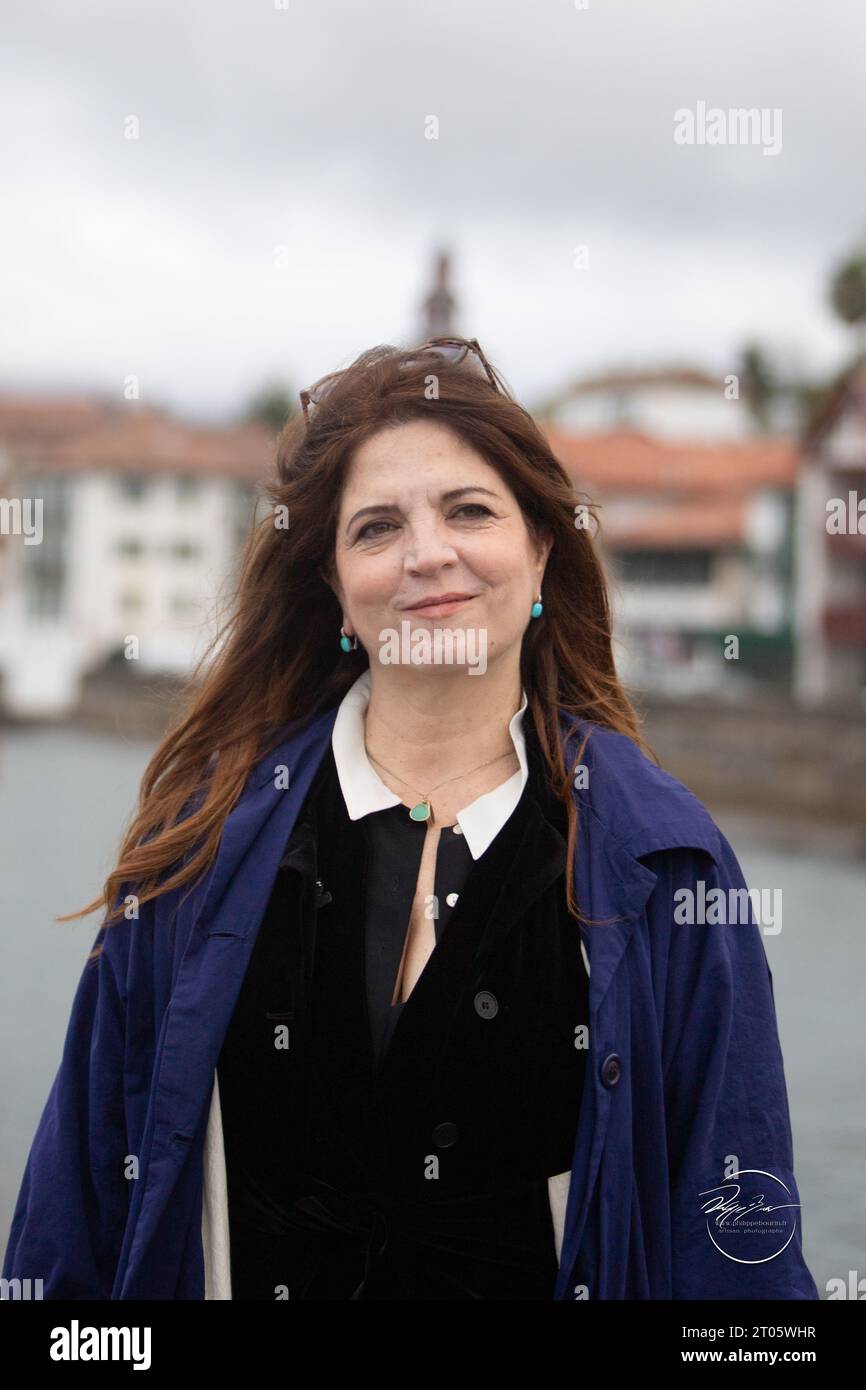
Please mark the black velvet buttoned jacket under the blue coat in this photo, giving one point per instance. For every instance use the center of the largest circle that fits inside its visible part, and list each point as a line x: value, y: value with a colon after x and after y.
x: 420, y: 1174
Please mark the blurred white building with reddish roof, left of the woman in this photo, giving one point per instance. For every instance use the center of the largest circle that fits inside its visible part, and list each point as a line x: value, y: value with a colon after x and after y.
x: 120, y: 533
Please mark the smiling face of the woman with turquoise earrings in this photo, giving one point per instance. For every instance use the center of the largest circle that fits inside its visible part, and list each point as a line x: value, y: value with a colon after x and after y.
x: 422, y: 516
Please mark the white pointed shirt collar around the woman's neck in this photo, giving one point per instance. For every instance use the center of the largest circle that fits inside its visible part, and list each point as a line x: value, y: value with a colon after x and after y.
x: 365, y: 792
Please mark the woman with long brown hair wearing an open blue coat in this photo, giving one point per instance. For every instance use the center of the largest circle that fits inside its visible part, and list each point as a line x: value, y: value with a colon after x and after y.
x: 395, y: 997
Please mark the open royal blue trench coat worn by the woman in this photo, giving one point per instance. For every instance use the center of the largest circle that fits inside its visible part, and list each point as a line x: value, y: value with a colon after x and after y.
x: 685, y: 1064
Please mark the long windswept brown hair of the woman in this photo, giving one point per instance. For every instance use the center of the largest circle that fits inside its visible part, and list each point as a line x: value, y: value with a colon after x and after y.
x: 277, y: 661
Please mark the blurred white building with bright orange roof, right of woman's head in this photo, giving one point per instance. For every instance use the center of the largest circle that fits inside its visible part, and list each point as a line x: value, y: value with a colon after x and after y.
x: 698, y: 546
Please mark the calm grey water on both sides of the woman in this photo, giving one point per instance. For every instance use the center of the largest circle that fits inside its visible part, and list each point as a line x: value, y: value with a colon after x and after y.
x: 66, y: 797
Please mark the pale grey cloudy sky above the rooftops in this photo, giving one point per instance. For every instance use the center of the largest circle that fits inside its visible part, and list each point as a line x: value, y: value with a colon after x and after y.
x: 283, y: 202
